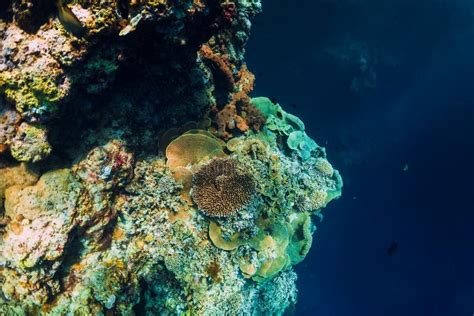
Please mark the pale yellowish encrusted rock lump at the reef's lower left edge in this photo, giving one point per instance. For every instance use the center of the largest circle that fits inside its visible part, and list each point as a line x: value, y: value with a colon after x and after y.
x: 41, y: 218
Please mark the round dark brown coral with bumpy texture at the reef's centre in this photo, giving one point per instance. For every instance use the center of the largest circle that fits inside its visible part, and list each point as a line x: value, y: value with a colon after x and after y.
x: 220, y: 190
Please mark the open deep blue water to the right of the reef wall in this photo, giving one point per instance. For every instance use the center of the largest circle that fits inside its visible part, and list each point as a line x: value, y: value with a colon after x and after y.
x: 382, y: 84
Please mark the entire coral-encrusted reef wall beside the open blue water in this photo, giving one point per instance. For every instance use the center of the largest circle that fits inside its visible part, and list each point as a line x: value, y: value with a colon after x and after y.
x: 137, y: 174
